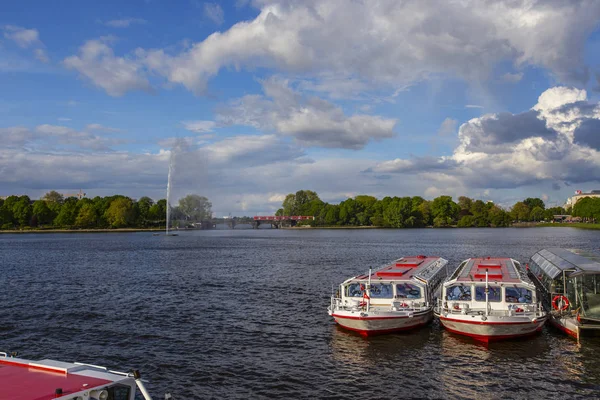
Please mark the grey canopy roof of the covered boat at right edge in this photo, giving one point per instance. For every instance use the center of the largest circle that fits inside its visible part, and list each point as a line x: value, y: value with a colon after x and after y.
x: 556, y: 260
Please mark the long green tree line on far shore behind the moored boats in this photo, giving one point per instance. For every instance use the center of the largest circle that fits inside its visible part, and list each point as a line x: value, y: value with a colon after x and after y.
x: 413, y: 212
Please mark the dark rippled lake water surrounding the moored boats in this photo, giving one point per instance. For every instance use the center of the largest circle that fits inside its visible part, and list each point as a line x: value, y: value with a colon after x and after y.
x: 242, y: 314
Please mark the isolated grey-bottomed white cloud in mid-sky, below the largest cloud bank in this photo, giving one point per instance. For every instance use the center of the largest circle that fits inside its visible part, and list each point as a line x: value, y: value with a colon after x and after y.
x: 309, y: 120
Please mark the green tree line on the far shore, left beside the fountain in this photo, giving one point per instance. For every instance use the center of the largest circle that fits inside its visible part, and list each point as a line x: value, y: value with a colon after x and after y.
x: 55, y: 211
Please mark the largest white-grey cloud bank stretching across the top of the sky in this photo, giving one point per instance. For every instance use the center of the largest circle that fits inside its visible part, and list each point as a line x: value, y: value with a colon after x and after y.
x: 385, y: 45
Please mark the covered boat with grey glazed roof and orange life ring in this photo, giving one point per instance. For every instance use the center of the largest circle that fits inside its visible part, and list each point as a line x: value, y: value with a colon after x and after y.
x: 569, y: 281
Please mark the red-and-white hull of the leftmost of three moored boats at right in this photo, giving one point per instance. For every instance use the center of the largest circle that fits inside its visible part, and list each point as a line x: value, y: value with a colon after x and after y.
x: 369, y: 324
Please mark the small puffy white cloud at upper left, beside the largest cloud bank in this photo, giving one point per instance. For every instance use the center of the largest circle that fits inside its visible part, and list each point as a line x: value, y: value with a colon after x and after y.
x: 116, y: 75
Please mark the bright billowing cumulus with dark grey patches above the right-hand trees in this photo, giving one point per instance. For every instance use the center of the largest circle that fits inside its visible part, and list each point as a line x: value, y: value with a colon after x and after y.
x: 556, y: 141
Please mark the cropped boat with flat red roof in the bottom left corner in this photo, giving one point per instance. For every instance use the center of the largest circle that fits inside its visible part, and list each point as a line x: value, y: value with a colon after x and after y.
x: 22, y: 379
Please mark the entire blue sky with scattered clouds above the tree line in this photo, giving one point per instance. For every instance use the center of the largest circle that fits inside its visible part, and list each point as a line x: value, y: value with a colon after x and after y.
x: 252, y: 100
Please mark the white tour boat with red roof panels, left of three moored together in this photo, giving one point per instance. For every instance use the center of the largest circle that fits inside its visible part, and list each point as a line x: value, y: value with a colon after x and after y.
x: 399, y: 296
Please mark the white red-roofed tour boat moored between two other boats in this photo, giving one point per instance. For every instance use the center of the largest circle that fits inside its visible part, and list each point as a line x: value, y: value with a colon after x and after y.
x: 490, y: 299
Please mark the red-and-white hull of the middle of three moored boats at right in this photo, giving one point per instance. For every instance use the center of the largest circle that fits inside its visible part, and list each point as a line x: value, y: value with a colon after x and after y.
x: 493, y: 328
